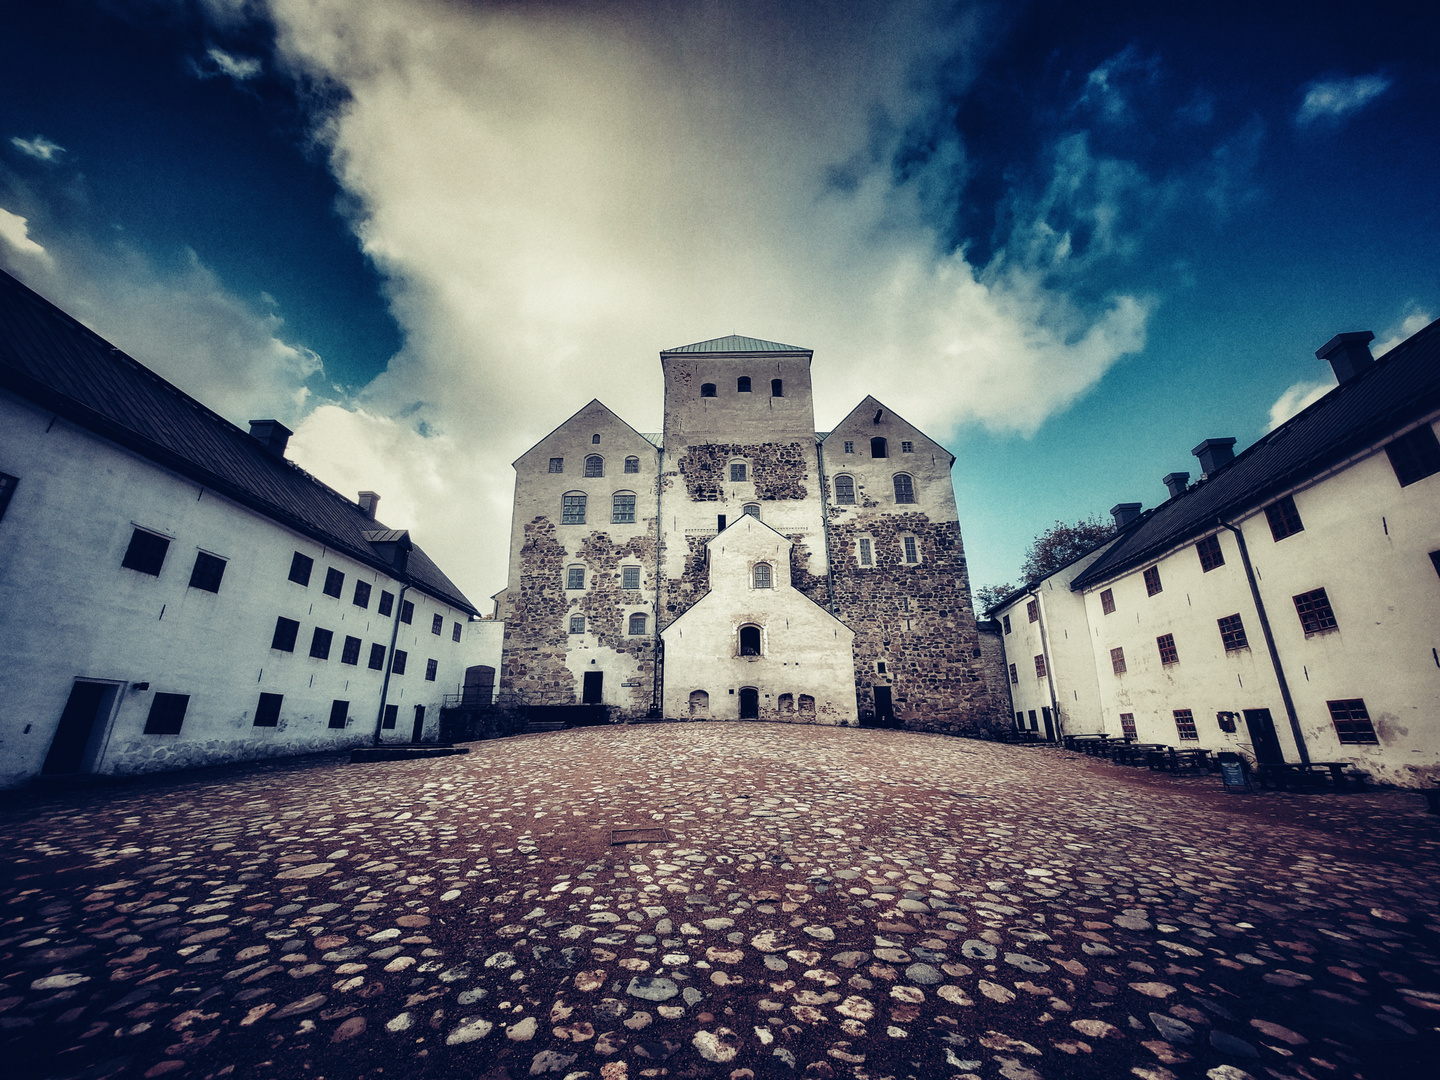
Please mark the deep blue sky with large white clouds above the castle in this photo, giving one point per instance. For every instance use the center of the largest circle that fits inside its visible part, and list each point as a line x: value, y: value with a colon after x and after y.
x: 1069, y: 240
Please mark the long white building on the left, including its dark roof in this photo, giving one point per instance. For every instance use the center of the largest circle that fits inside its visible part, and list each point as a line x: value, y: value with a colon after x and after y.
x: 175, y: 593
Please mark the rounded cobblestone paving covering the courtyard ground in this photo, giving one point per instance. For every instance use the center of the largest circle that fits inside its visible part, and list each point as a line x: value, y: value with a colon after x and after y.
x: 823, y: 904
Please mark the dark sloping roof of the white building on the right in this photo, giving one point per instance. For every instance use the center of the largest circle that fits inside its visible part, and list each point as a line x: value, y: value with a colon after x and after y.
x: 1399, y: 390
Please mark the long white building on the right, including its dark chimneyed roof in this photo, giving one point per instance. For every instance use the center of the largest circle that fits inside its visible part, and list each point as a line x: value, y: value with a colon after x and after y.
x: 1288, y: 606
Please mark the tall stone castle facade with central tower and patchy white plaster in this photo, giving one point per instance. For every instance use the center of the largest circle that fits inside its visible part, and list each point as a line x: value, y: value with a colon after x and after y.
x: 744, y: 565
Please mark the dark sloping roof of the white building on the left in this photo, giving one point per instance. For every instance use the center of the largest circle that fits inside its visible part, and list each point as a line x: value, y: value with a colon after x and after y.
x: 48, y: 358
